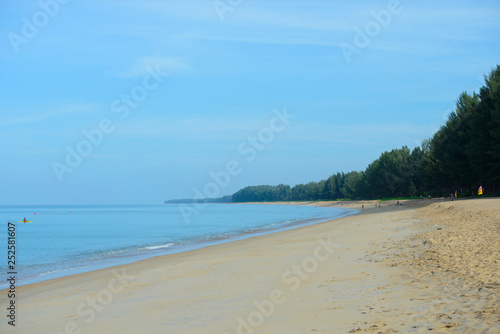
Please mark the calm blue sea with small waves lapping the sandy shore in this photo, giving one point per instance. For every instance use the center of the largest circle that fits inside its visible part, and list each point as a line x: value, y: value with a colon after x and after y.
x: 67, y: 240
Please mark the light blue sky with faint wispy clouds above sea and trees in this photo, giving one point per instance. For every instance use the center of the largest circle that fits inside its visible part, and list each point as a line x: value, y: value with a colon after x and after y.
x: 137, y: 102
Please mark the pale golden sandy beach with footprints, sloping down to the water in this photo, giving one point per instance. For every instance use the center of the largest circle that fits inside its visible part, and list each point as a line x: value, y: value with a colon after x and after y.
x: 427, y: 266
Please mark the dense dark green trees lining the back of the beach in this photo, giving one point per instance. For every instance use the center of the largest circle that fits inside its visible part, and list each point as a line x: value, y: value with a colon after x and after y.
x: 462, y: 155
